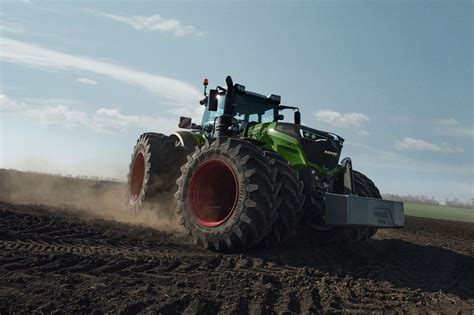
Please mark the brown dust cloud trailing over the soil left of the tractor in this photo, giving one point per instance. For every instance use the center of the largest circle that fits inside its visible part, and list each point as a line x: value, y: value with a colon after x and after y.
x: 90, y: 199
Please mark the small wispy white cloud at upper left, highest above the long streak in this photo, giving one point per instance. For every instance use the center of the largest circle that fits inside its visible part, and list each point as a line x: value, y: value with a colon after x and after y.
x: 155, y: 23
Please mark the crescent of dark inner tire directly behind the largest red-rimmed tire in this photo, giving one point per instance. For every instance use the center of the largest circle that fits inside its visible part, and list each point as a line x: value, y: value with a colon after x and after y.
x: 292, y: 199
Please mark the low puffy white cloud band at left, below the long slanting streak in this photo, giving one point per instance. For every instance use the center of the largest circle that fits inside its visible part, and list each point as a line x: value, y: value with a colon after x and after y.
x: 103, y: 120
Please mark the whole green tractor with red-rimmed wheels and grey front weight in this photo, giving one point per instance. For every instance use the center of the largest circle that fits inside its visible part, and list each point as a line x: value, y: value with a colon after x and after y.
x: 243, y: 177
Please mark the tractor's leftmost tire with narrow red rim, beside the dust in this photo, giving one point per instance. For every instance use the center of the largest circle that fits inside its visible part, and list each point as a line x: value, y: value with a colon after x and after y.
x: 154, y: 168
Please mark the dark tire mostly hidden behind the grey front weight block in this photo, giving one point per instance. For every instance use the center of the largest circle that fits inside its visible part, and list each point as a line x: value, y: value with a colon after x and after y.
x: 313, y: 233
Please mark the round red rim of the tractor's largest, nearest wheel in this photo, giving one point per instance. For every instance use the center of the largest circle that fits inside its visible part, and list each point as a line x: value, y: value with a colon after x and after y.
x: 213, y: 193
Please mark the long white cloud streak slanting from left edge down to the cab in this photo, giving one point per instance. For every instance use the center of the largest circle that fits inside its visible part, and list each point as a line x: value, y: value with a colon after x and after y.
x: 181, y: 95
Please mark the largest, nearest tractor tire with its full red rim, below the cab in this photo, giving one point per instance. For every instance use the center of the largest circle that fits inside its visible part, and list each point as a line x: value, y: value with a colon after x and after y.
x: 227, y: 195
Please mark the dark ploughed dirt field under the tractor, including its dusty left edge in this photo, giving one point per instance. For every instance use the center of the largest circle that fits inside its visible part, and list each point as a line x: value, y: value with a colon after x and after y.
x: 78, y: 259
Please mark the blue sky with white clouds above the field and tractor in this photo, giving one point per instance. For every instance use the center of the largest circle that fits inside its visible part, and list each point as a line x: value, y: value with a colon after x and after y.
x: 80, y: 81
